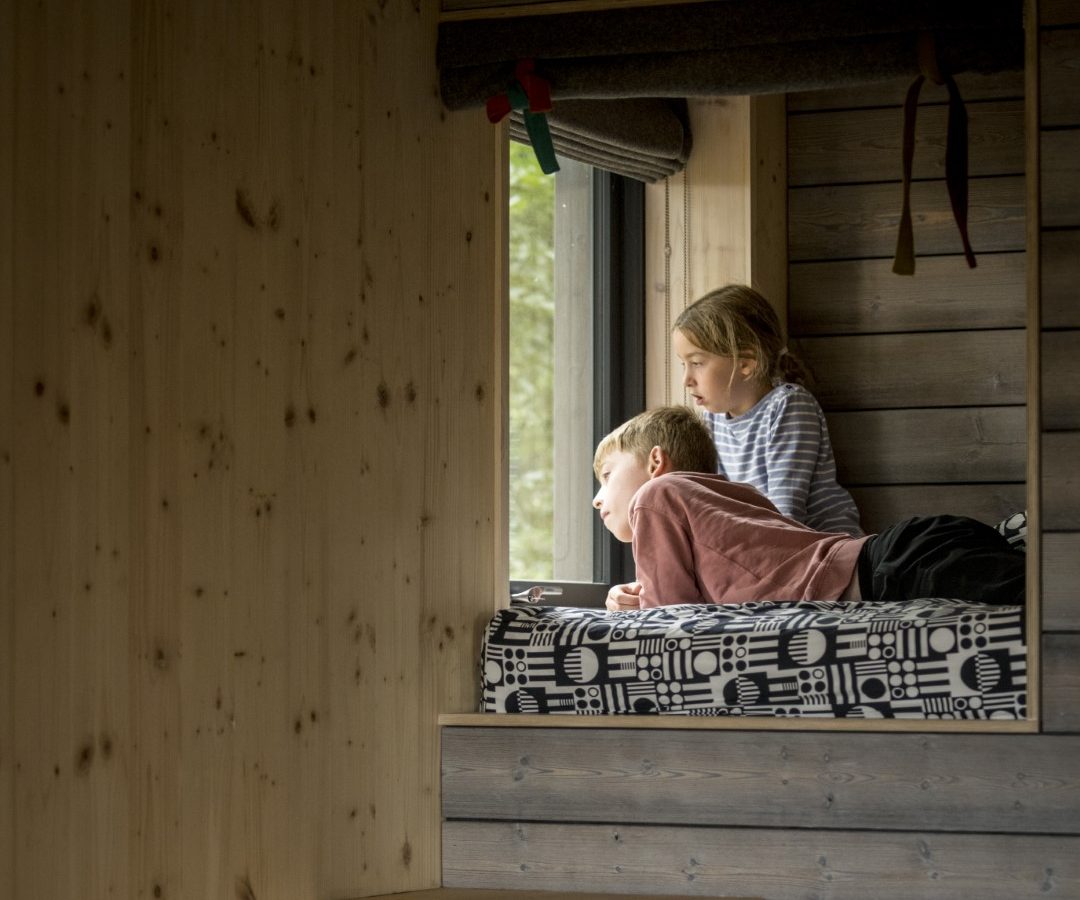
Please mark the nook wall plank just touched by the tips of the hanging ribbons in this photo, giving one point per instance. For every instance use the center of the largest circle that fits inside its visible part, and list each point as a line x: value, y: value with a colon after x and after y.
x: 866, y: 297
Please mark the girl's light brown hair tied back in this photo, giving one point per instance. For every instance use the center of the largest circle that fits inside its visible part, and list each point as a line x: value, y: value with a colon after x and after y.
x: 737, y: 321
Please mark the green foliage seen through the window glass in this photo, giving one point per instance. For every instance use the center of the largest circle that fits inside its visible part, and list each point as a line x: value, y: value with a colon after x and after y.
x: 532, y: 365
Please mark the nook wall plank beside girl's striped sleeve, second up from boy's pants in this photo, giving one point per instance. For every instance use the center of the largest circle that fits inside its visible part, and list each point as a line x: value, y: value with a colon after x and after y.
x: 917, y: 447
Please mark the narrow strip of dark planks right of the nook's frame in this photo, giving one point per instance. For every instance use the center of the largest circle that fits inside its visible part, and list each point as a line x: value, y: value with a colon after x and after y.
x: 1059, y: 154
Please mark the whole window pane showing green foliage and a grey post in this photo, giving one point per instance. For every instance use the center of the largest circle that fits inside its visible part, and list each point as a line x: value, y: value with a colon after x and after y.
x: 551, y: 370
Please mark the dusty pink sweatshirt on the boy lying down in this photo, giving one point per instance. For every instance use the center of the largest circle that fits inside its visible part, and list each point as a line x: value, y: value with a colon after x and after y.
x: 701, y: 539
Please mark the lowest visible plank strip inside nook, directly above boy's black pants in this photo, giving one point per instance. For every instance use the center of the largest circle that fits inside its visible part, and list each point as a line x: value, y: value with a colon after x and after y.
x: 880, y: 507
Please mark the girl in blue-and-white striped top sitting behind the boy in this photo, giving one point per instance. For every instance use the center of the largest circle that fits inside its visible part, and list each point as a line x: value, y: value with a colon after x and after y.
x: 769, y: 431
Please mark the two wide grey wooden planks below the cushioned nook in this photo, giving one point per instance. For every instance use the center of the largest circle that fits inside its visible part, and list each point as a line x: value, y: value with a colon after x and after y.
x: 785, y: 816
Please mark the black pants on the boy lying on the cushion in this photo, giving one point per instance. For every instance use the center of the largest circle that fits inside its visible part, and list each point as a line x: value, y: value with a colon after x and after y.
x: 949, y: 557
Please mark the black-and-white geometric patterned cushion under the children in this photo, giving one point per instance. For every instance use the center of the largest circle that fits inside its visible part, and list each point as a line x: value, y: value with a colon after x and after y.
x: 920, y: 660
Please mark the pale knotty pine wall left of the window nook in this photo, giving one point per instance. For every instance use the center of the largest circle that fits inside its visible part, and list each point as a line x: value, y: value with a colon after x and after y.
x: 251, y: 419
